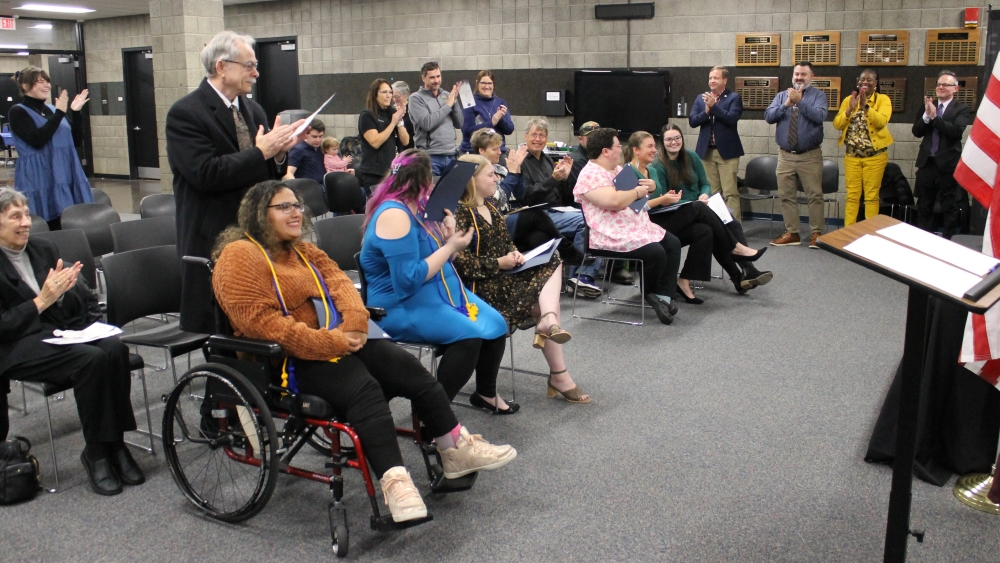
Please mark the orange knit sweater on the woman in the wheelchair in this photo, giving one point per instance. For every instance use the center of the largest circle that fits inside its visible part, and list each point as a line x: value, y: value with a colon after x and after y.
x: 245, y: 291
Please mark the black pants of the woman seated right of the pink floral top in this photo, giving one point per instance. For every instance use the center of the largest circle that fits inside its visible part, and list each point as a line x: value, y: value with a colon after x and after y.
x: 701, y: 230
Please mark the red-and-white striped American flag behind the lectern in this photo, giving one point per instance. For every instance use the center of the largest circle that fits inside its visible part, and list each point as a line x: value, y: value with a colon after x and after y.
x: 977, y: 172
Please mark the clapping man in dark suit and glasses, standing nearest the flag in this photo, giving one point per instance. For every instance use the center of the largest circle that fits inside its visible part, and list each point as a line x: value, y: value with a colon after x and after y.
x: 941, y: 127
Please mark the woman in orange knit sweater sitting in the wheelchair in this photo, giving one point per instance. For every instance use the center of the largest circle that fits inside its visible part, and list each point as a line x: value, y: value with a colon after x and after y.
x: 274, y: 286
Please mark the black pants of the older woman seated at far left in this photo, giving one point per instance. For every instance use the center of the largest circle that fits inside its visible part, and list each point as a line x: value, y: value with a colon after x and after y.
x: 98, y: 372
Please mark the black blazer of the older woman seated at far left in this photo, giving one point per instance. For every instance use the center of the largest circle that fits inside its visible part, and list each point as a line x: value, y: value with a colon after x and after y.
x: 22, y: 328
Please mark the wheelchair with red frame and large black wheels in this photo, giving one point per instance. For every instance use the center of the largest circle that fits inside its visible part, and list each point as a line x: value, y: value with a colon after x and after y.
x: 225, y: 451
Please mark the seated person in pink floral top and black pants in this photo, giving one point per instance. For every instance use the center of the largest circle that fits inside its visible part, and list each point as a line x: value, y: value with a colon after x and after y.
x: 619, y: 231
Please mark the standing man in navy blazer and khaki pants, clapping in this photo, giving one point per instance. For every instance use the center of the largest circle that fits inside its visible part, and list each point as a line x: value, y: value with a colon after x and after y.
x: 717, y: 113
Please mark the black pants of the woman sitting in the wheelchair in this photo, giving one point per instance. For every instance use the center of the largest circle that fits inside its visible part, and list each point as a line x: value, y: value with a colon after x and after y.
x: 359, y: 386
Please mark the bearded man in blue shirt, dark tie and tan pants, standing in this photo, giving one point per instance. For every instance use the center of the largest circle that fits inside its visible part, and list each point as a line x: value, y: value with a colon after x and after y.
x: 799, y: 113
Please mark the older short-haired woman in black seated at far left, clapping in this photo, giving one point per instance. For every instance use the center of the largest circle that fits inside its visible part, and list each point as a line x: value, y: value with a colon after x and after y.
x: 37, y: 296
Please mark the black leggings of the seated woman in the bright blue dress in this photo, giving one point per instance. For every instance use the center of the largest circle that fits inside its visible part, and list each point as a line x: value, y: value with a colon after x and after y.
x: 462, y: 357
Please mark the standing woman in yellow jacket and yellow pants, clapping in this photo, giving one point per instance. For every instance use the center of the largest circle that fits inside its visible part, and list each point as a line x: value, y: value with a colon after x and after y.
x: 862, y: 122
